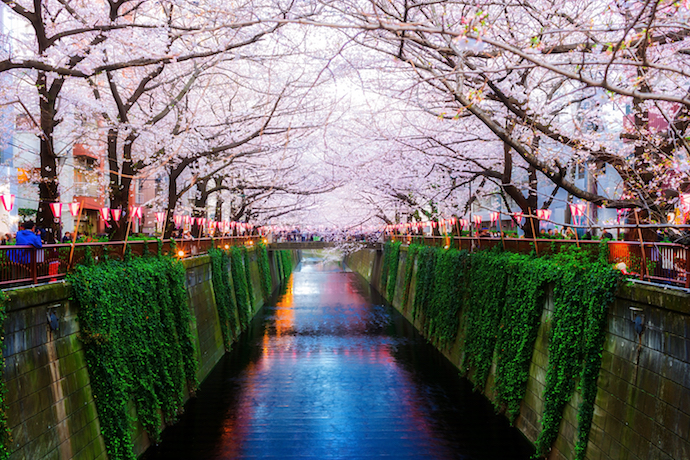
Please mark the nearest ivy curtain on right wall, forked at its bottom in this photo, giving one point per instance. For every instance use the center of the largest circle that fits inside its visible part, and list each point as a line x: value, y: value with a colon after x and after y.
x: 584, y: 287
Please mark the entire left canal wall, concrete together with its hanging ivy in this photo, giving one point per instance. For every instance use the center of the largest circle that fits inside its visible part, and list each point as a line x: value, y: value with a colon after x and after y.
x: 133, y: 339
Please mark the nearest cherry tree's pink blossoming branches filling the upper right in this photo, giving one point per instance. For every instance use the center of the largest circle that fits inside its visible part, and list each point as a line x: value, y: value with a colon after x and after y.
x: 554, y: 83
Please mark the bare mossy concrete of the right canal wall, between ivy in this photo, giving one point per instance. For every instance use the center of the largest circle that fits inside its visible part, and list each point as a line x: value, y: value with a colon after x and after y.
x: 642, y: 408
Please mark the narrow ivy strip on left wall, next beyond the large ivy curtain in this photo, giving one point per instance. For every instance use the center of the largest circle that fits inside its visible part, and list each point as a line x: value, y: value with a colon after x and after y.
x: 222, y: 290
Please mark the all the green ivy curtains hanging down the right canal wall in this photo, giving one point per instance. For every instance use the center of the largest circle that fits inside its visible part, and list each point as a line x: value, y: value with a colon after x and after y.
x: 501, y: 298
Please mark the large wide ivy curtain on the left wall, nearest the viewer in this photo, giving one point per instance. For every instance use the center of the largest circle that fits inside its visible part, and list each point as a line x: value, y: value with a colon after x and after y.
x: 136, y: 328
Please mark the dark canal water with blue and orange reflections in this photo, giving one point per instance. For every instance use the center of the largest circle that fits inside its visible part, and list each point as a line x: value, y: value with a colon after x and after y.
x: 328, y: 371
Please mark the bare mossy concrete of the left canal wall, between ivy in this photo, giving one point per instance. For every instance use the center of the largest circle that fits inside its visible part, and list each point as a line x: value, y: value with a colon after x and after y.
x: 51, y: 408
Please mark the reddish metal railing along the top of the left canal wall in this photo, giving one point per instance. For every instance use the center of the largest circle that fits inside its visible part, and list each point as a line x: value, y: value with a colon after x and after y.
x: 22, y: 265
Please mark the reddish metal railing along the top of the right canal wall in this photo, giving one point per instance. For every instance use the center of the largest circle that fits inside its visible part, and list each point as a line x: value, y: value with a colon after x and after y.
x: 657, y: 262
